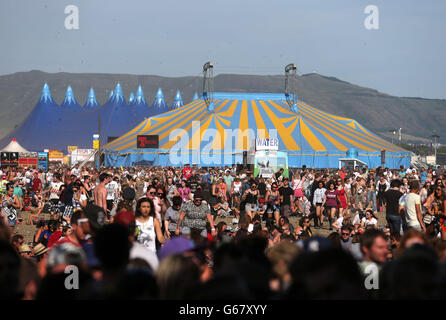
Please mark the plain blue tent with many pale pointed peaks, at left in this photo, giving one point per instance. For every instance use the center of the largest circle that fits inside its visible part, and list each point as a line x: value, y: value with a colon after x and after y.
x: 54, y: 126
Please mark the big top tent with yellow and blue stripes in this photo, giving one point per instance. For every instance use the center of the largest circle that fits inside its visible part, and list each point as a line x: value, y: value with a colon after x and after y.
x: 218, y: 135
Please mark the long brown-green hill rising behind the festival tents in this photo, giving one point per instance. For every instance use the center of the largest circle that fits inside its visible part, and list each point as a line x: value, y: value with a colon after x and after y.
x: 379, y: 112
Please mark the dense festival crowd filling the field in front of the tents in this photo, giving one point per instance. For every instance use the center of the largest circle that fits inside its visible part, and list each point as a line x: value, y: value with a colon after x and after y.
x: 221, y: 233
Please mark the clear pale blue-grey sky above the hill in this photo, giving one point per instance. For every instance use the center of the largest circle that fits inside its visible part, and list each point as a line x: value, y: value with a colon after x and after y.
x: 405, y: 56
